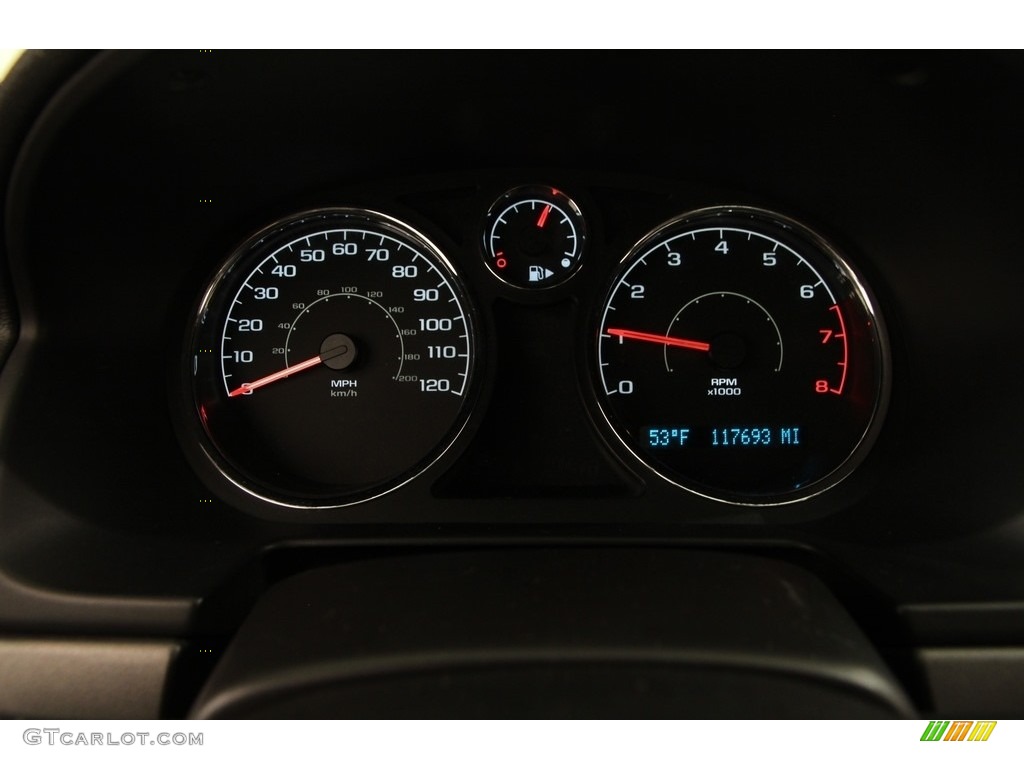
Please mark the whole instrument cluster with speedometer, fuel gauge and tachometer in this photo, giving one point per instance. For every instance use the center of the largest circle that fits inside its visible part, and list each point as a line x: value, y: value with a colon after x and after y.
x: 727, y: 352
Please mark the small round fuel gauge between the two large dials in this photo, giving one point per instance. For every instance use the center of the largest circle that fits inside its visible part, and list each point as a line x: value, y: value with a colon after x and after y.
x: 534, y: 237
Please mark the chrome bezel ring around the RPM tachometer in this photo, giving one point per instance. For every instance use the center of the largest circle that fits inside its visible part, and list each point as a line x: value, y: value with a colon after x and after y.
x: 858, y: 287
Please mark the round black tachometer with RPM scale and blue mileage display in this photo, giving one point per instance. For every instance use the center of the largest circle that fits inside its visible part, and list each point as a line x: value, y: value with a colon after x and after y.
x: 740, y: 358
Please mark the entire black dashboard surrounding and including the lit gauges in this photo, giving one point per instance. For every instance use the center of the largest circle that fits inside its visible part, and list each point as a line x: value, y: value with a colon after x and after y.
x: 138, y: 185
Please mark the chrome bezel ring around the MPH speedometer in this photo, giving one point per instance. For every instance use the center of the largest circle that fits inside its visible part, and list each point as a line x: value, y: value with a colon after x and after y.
x: 236, y: 484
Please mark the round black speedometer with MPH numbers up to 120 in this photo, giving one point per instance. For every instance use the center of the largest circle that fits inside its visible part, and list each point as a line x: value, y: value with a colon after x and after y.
x: 332, y: 359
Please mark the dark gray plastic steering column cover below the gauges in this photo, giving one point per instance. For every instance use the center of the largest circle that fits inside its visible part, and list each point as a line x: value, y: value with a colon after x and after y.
x: 434, y: 615
